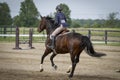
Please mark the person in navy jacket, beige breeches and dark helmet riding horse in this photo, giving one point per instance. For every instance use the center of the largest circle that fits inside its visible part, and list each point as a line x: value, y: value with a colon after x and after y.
x: 60, y: 20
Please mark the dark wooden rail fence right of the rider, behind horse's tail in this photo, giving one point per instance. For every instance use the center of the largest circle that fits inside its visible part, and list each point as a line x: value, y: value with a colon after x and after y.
x: 101, y: 35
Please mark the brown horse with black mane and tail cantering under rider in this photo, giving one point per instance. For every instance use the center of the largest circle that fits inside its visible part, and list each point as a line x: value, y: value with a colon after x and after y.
x: 66, y: 42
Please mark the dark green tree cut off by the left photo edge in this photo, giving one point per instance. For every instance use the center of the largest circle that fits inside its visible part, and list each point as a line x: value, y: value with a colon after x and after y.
x: 5, y: 17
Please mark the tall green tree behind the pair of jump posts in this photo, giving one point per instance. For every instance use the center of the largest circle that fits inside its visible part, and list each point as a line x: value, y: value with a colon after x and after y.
x: 28, y: 14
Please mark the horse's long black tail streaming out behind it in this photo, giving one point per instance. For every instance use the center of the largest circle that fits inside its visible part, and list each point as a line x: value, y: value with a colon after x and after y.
x: 90, y: 50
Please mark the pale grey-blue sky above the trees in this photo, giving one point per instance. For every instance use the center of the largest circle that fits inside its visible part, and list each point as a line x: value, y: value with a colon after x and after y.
x: 80, y: 9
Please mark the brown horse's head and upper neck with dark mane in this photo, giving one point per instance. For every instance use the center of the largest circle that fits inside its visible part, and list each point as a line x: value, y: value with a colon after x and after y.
x: 46, y: 23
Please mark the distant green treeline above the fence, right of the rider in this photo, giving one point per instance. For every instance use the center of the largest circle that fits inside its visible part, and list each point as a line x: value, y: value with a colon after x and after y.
x: 111, y: 22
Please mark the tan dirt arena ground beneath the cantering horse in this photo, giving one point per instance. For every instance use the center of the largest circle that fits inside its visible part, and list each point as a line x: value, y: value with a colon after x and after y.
x: 24, y: 64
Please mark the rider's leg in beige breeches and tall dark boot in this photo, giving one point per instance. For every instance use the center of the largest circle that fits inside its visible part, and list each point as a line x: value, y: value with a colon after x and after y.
x: 52, y: 36
